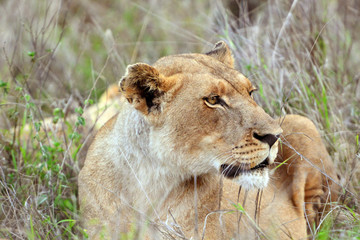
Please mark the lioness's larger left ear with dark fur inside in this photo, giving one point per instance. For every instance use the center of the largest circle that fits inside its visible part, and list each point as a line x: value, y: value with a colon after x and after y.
x: 143, y: 86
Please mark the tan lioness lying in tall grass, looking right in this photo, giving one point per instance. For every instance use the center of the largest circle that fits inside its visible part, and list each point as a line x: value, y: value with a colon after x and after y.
x: 190, y: 155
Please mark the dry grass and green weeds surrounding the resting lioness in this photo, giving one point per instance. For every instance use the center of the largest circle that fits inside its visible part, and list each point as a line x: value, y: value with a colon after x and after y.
x: 58, y: 56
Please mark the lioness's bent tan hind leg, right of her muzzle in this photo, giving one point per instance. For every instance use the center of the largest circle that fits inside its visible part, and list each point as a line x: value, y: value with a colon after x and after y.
x: 309, y: 163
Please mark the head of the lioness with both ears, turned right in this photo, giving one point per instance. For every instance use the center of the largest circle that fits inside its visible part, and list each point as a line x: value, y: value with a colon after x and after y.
x: 202, y: 116
